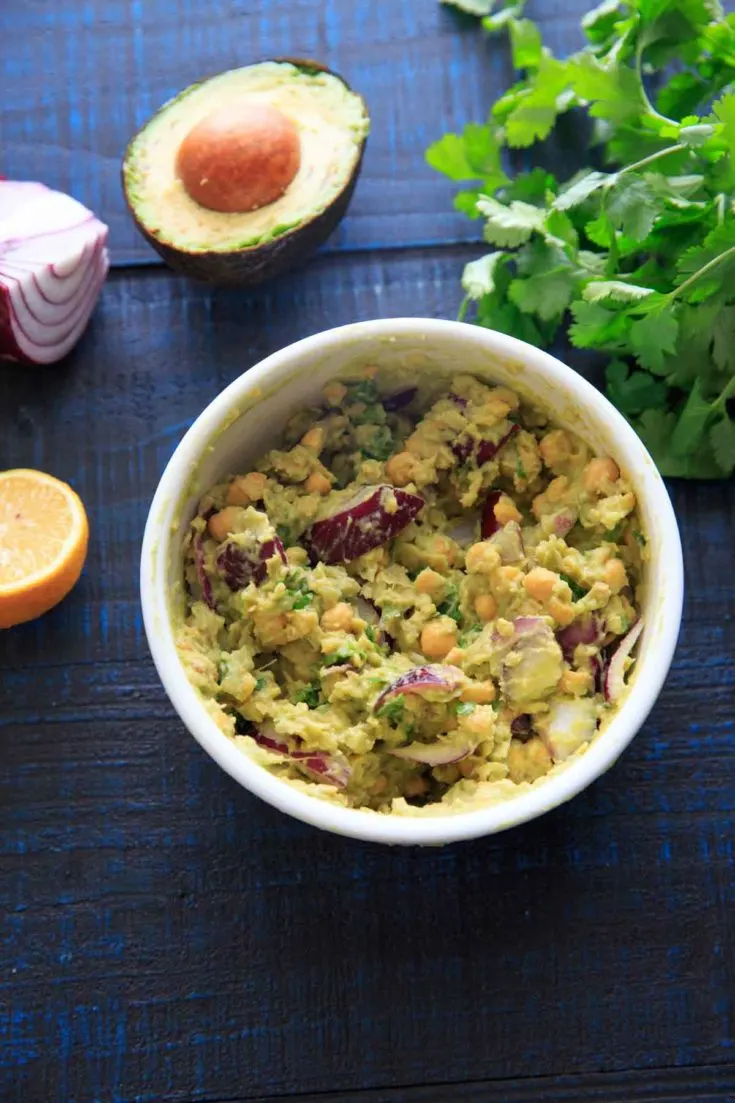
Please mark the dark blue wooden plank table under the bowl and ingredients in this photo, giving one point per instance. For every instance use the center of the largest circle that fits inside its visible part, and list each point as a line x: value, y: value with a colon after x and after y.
x: 165, y: 936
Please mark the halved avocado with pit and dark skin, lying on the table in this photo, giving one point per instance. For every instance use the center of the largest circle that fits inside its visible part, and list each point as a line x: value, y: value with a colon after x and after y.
x: 328, y: 124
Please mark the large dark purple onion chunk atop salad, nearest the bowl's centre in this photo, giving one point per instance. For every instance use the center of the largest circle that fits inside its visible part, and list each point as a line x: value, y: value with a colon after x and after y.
x: 375, y: 517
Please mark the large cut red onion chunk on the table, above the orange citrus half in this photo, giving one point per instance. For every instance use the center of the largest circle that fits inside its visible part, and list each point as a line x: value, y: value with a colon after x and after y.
x: 54, y: 263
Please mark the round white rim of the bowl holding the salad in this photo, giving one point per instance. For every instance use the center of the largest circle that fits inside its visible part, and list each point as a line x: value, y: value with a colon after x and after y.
x: 363, y: 824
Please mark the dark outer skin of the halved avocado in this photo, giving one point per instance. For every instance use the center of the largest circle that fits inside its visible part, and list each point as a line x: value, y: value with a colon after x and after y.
x: 260, y: 263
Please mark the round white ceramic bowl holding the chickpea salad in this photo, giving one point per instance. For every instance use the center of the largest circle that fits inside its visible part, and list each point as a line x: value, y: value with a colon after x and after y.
x: 248, y: 419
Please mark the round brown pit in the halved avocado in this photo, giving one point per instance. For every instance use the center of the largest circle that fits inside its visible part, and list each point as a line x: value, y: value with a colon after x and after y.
x: 240, y: 158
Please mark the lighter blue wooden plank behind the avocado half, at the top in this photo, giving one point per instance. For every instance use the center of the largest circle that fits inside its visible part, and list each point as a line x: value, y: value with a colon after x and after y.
x: 78, y: 80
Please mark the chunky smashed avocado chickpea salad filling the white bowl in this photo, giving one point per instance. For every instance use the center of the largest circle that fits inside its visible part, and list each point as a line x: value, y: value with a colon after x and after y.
x: 413, y: 604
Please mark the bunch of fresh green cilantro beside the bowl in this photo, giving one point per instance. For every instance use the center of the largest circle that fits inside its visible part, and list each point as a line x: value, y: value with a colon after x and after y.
x: 635, y: 256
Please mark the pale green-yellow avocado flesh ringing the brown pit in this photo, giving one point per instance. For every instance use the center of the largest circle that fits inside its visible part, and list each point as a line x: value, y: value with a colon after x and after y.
x: 333, y: 126
